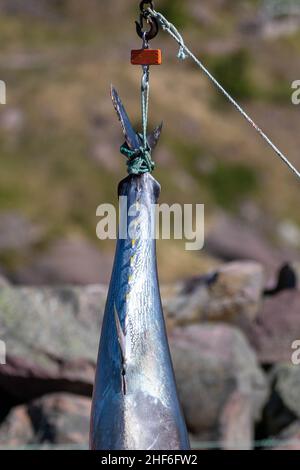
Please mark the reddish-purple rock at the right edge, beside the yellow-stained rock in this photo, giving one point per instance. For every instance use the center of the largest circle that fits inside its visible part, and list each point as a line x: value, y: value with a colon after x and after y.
x: 276, y: 328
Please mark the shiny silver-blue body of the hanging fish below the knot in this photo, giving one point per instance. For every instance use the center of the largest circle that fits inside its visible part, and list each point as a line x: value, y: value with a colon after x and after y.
x: 135, y: 403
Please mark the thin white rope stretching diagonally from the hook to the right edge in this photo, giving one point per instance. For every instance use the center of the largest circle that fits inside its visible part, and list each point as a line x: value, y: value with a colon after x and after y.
x: 184, y: 51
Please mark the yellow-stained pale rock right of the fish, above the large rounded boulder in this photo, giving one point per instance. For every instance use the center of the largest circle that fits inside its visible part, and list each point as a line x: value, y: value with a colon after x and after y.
x: 232, y: 294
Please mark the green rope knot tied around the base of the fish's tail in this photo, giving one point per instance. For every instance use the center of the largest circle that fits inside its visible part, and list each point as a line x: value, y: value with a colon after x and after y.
x: 138, y: 161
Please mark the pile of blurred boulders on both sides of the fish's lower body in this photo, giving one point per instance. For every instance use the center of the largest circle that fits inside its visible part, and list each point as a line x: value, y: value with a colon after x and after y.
x: 231, y: 342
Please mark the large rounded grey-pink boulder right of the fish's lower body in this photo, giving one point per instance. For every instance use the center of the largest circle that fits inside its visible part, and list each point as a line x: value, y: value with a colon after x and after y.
x: 218, y: 380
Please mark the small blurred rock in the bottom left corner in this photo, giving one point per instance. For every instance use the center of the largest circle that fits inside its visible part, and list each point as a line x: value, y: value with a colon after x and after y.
x: 16, y: 430
